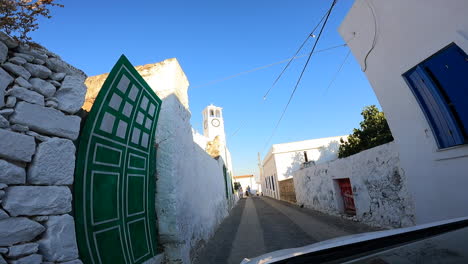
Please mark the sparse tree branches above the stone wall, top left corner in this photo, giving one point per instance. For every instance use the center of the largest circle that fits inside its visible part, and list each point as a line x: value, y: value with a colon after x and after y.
x: 19, y: 17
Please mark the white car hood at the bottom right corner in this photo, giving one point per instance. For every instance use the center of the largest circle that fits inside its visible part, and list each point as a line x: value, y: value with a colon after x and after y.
x: 438, y: 242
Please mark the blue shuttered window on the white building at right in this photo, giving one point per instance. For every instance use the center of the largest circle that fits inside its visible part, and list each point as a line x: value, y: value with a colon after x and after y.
x: 440, y: 85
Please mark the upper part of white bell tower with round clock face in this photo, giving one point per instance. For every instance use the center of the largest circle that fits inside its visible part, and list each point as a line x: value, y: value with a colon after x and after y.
x: 213, y: 123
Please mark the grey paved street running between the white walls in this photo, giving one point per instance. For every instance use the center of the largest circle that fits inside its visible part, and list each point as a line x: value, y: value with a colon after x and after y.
x: 258, y: 225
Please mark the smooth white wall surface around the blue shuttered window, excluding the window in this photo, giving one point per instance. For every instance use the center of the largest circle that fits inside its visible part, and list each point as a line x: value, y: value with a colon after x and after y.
x: 404, y: 34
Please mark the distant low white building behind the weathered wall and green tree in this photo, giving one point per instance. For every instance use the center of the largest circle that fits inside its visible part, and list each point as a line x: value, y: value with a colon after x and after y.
x: 283, y: 159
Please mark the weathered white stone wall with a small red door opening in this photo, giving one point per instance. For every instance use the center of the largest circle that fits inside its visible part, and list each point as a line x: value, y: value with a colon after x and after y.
x: 379, y: 187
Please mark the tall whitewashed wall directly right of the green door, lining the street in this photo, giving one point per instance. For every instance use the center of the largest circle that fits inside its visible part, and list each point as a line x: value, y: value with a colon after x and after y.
x: 191, y: 194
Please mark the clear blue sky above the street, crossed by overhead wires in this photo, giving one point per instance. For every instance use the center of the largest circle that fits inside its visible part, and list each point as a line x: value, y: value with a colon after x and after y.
x: 215, y: 39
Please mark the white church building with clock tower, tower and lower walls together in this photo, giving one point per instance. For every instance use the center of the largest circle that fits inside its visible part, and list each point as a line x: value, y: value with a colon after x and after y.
x: 213, y: 126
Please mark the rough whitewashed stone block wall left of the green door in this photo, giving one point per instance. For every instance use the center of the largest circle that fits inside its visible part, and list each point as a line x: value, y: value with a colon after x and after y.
x: 39, y: 97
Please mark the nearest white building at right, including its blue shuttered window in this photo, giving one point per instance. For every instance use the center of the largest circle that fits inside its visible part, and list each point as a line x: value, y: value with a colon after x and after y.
x: 414, y: 55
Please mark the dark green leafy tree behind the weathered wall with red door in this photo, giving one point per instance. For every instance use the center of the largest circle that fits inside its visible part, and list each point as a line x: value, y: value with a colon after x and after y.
x: 374, y: 131
